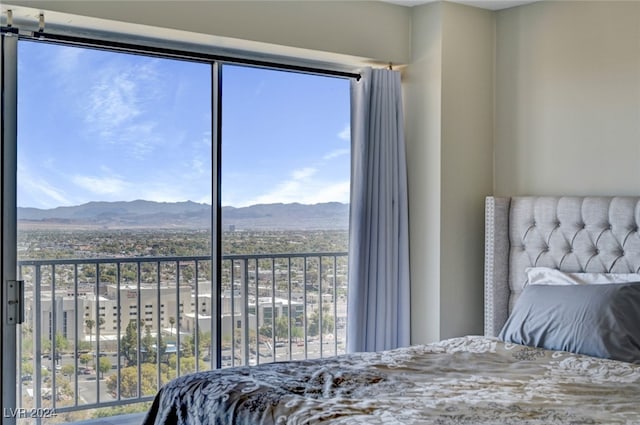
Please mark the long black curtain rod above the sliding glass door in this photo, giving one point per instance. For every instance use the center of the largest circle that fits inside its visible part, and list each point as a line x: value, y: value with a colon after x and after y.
x: 171, y: 53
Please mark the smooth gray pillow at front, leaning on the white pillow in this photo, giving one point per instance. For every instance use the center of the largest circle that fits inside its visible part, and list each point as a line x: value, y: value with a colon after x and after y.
x: 596, y: 320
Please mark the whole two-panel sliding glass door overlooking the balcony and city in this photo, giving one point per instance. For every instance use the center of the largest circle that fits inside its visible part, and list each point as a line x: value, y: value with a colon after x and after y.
x: 161, y: 217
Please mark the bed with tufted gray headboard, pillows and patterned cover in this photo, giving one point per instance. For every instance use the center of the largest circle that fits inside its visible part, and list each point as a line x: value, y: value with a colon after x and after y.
x: 548, y: 260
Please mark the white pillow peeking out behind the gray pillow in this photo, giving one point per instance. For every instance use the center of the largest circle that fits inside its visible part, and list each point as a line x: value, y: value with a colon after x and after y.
x: 549, y: 276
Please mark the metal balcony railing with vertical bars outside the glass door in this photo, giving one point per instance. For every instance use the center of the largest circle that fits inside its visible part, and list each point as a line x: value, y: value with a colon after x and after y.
x: 108, y: 333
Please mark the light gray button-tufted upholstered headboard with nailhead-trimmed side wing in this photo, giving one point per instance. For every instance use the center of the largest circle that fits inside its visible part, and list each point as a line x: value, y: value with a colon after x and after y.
x: 572, y: 234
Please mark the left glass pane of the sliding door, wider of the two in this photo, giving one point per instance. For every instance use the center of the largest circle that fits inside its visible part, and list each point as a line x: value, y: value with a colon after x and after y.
x: 113, y: 209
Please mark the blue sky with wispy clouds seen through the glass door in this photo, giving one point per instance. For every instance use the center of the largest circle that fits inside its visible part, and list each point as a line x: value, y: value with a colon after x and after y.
x: 102, y: 126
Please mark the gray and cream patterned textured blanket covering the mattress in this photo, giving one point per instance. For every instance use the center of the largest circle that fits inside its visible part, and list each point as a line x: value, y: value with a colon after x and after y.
x: 470, y: 380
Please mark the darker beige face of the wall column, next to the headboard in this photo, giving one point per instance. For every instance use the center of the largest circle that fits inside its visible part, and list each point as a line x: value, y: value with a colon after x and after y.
x: 467, y: 164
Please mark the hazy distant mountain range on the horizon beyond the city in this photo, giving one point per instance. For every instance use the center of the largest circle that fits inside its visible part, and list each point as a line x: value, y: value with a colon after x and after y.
x: 149, y: 214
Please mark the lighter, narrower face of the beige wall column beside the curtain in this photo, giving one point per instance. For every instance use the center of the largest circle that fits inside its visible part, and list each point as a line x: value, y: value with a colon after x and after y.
x: 423, y: 99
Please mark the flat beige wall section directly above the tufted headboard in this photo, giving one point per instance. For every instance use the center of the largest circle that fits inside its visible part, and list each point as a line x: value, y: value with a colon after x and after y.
x: 568, y: 99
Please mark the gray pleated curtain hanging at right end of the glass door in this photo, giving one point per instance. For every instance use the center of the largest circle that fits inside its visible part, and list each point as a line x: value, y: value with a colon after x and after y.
x: 378, y: 297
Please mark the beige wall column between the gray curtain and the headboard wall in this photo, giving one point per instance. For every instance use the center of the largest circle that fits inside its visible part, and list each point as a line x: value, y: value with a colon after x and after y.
x: 449, y: 96
